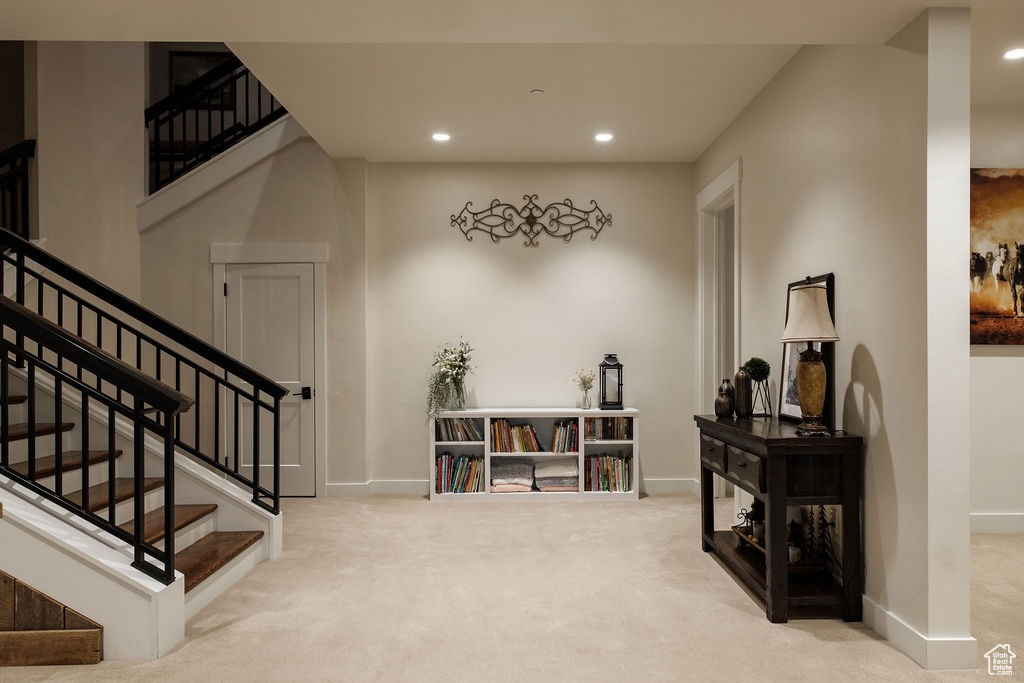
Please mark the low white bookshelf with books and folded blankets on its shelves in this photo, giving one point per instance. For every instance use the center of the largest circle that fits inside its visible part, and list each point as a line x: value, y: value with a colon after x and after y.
x: 544, y: 421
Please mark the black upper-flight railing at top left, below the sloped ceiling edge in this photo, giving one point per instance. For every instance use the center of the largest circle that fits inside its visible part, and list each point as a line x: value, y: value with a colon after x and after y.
x: 204, y: 118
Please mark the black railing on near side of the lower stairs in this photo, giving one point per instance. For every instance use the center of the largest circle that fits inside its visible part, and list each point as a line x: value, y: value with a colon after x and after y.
x: 54, y: 357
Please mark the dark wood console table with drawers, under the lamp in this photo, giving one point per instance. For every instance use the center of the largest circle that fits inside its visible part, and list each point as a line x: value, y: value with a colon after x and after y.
x: 767, y: 459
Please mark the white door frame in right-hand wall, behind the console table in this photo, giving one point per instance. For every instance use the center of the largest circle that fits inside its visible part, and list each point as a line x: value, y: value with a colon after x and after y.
x: 720, y: 194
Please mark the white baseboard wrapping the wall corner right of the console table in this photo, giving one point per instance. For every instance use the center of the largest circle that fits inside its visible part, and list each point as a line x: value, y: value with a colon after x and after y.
x: 932, y: 654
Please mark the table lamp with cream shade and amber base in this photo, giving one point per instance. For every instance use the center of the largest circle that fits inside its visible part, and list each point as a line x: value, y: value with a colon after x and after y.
x: 808, y: 321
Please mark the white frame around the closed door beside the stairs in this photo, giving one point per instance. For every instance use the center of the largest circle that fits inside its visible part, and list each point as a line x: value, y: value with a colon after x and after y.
x: 318, y: 254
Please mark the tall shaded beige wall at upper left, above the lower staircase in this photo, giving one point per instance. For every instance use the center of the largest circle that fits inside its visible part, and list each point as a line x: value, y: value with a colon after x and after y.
x: 91, y: 156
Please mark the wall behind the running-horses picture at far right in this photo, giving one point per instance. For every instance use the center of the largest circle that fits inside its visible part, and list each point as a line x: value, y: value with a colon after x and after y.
x: 997, y: 477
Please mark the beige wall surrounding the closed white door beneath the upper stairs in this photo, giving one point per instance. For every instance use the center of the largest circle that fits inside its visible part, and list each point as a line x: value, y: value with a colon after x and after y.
x: 298, y: 196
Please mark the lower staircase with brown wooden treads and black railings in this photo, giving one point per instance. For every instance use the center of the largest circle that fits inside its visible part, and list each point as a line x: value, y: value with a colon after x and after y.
x: 131, y: 457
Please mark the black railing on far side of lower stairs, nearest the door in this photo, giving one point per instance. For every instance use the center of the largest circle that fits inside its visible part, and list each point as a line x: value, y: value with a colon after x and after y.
x: 234, y: 426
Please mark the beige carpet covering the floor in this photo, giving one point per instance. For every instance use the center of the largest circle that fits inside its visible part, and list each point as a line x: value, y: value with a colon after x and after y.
x: 401, y: 589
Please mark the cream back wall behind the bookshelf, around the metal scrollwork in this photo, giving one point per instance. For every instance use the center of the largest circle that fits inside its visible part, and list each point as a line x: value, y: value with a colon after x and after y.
x: 534, y: 316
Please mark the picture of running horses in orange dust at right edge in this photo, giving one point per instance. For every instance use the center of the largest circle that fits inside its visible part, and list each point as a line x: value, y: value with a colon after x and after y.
x: 997, y: 251
